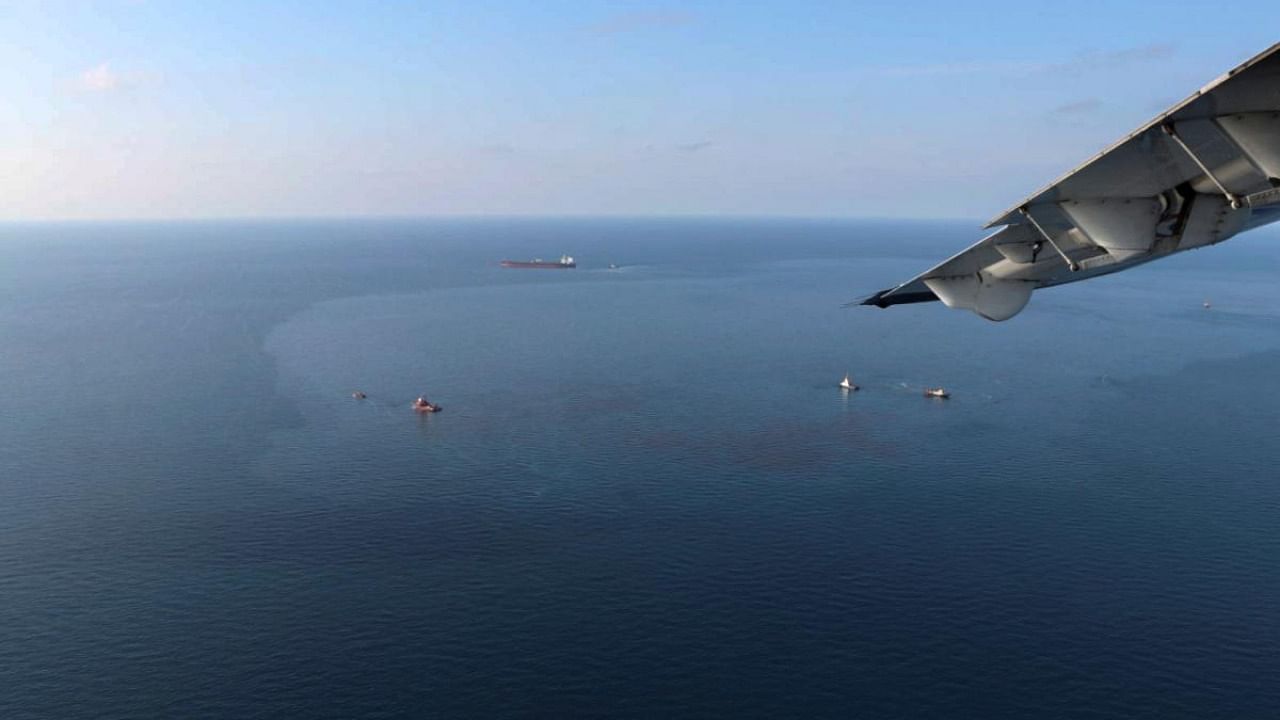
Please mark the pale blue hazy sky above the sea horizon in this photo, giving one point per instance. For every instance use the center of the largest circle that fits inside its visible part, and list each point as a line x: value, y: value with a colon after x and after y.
x: 925, y: 110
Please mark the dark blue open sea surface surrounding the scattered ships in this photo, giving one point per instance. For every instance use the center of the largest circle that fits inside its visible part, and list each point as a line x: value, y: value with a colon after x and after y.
x: 646, y: 496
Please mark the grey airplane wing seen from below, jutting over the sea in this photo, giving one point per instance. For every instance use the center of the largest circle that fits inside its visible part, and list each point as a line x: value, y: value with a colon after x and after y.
x: 1201, y: 172
